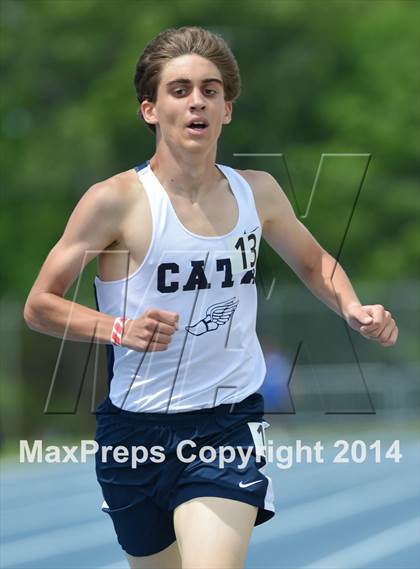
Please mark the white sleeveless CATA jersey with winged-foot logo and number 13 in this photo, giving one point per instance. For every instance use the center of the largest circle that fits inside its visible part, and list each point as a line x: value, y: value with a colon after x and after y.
x: 215, y: 356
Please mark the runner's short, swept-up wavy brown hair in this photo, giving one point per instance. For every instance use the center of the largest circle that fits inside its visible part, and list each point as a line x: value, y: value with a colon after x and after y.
x: 175, y: 42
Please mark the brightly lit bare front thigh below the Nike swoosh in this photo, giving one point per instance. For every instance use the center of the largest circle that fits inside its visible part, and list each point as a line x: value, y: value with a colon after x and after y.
x: 213, y: 533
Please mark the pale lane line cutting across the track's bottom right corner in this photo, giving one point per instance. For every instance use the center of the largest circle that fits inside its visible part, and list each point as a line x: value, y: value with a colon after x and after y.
x: 373, y: 548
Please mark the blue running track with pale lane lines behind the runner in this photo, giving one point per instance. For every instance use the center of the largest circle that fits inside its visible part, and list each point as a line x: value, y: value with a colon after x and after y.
x: 329, y: 515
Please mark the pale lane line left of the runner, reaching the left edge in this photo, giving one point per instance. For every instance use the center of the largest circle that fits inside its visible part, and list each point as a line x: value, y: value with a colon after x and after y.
x: 57, y: 542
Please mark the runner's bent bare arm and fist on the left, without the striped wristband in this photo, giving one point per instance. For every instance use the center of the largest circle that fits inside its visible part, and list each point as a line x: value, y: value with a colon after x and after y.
x: 94, y: 224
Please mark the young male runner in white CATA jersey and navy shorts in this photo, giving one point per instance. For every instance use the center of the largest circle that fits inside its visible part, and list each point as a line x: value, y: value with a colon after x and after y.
x: 177, y: 242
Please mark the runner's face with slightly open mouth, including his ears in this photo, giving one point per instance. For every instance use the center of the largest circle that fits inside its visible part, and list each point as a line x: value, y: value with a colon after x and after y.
x: 190, y: 108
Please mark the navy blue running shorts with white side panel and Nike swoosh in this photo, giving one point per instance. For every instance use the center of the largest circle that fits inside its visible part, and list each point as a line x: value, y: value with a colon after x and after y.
x: 150, y: 463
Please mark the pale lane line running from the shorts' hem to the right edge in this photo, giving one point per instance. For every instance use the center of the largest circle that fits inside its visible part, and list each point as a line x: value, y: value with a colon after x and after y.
x: 337, y: 506
